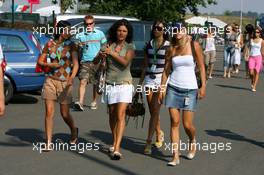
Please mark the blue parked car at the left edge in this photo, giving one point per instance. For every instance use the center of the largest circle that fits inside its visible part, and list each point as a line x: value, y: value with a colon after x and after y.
x: 21, y: 49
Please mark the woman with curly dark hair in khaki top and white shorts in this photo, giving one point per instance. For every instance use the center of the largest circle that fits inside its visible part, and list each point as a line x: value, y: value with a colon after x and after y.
x: 119, y: 89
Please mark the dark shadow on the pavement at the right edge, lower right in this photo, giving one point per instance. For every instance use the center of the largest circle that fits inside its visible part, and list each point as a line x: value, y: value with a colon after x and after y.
x: 233, y: 136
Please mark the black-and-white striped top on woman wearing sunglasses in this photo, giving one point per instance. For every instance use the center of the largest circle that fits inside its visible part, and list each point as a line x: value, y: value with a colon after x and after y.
x: 160, y: 57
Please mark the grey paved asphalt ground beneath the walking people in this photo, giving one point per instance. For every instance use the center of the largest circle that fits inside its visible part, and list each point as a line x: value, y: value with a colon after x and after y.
x: 231, y: 116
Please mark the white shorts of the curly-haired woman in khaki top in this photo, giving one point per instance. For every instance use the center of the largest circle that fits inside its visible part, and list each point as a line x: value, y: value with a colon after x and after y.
x: 118, y: 94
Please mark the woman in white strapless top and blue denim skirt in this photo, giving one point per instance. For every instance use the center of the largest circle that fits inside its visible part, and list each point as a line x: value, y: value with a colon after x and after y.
x: 182, y: 90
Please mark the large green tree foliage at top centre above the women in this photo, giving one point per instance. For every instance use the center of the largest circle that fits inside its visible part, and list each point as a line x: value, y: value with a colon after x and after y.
x: 169, y: 10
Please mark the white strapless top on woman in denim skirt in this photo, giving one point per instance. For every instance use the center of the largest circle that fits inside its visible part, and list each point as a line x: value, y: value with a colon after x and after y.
x: 183, y: 74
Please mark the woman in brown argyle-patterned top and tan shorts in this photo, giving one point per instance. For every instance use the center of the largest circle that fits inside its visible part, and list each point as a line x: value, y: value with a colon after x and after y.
x: 62, y: 59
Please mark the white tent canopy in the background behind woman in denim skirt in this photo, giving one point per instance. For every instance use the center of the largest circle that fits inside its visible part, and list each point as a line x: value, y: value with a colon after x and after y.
x: 201, y: 21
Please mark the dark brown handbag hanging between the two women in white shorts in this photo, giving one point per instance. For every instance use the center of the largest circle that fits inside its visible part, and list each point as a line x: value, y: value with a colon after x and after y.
x: 136, y: 109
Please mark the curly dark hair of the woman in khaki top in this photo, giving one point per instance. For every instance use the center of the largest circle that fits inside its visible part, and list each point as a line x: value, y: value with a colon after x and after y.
x: 112, y: 36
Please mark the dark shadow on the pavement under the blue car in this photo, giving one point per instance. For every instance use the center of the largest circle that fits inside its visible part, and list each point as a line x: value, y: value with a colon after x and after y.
x: 23, y: 99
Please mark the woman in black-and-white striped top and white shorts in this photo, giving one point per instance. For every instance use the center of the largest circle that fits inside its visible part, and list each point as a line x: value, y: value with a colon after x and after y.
x: 154, y: 62
